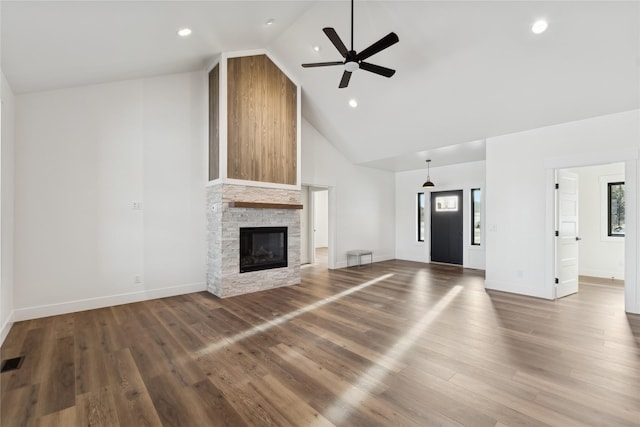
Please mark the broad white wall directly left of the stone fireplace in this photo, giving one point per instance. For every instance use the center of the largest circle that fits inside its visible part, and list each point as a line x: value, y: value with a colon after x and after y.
x: 83, y: 155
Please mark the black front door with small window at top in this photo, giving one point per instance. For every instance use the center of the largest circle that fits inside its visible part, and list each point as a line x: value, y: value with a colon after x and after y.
x: 446, y: 227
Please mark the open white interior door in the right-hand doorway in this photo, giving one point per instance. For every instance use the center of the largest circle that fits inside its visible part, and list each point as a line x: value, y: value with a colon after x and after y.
x: 567, y: 239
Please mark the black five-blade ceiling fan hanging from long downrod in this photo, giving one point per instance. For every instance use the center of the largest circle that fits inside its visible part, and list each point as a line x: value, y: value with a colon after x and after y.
x: 354, y: 60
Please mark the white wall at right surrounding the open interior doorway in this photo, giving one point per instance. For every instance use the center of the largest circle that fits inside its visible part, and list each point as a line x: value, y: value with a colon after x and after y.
x: 518, y: 203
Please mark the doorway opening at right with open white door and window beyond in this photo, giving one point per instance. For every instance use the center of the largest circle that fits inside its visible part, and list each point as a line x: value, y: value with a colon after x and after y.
x: 590, y: 218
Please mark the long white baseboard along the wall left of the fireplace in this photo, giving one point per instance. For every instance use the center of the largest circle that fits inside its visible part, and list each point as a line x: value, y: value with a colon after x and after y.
x: 28, y: 313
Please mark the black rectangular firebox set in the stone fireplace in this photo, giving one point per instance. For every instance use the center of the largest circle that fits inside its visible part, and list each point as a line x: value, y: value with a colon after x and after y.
x: 262, y: 248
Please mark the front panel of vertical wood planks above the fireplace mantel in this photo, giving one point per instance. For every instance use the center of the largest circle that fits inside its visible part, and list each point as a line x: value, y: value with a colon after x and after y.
x: 262, y: 122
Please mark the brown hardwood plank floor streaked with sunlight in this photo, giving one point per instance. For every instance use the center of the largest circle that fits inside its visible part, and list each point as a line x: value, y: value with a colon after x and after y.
x: 392, y: 344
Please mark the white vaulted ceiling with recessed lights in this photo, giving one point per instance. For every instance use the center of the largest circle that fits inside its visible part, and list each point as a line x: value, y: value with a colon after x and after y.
x: 466, y: 71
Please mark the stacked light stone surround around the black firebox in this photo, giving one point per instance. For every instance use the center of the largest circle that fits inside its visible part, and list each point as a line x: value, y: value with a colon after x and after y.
x: 223, y: 270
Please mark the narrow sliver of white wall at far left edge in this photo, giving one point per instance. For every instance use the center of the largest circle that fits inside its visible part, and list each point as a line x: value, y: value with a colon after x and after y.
x: 6, y: 204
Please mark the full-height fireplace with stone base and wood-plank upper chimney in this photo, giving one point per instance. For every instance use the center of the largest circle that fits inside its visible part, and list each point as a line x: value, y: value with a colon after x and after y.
x: 254, y: 175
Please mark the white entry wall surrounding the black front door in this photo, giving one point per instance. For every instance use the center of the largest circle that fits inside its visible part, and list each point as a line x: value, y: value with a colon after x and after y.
x: 454, y: 177
